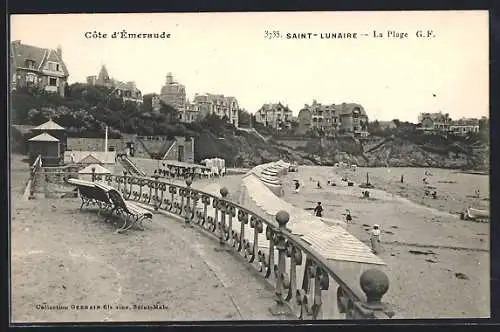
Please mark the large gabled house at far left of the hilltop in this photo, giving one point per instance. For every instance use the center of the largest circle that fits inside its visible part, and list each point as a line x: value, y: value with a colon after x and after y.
x: 37, y: 67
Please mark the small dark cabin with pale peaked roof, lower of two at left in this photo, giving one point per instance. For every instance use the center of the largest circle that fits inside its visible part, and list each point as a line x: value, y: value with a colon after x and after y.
x: 47, y: 146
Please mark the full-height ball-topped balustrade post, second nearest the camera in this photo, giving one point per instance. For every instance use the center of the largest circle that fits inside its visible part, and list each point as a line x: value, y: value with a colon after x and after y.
x: 281, y: 308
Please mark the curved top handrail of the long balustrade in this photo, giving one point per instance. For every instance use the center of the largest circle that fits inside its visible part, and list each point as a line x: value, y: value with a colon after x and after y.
x: 357, y: 297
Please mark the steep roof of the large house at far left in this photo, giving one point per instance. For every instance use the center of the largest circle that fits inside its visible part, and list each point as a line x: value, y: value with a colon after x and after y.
x: 22, y: 52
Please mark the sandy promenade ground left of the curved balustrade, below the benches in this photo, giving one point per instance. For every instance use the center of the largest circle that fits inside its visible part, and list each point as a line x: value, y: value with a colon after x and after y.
x: 63, y: 256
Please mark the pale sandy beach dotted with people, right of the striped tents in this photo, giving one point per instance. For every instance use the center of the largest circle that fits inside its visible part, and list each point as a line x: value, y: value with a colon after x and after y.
x: 447, y: 273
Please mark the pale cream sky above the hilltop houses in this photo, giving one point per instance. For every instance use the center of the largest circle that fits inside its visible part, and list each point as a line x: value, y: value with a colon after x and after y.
x: 227, y: 53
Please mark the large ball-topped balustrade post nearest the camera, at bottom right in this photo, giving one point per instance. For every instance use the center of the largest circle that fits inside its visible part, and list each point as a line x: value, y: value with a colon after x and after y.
x: 374, y: 284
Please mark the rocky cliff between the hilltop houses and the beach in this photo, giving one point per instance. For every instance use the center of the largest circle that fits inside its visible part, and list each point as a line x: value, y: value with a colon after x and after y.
x: 248, y: 150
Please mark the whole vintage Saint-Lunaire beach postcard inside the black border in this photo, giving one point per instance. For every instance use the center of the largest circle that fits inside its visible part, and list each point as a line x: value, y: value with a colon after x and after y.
x: 249, y: 166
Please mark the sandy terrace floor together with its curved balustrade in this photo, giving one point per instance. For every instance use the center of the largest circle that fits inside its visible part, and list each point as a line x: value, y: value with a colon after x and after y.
x: 203, y: 256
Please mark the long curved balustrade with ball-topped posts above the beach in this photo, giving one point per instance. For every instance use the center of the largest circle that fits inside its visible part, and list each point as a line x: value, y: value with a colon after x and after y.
x: 306, y: 284
